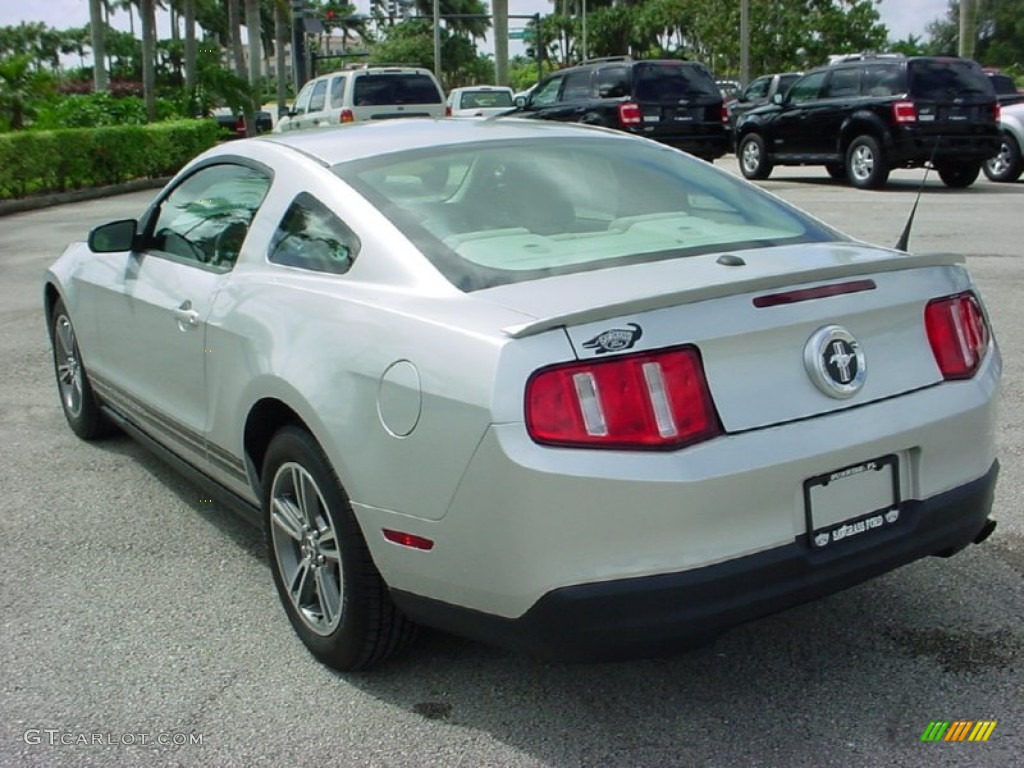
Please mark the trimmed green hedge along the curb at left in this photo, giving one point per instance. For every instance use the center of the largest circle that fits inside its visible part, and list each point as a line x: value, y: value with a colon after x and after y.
x: 36, y: 162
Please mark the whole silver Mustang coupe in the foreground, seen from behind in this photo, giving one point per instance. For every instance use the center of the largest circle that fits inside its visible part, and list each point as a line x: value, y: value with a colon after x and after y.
x: 554, y: 388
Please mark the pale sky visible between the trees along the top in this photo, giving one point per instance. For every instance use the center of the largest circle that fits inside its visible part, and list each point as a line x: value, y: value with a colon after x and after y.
x: 903, y: 17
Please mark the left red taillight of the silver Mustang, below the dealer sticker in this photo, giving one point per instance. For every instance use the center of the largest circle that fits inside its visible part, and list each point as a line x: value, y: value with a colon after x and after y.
x: 650, y: 401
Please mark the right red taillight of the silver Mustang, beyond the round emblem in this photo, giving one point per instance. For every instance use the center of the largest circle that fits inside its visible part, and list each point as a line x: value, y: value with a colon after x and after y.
x: 958, y: 334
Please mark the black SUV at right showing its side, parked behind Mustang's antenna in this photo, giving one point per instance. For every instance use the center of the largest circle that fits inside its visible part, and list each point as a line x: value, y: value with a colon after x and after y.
x: 864, y: 116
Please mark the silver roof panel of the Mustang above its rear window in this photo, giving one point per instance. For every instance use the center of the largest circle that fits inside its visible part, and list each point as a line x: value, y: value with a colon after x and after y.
x: 359, y: 141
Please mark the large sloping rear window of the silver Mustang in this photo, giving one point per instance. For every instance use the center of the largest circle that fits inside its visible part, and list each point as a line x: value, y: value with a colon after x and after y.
x: 492, y: 214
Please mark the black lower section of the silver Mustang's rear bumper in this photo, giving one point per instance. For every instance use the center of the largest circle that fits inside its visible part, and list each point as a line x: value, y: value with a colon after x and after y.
x: 661, y: 614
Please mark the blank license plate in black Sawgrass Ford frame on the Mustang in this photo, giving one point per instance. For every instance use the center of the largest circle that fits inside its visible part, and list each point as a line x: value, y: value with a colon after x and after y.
x: 854, y: 502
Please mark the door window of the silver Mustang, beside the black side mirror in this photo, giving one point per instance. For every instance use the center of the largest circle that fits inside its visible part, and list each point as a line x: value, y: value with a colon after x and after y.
x: 205, y: 220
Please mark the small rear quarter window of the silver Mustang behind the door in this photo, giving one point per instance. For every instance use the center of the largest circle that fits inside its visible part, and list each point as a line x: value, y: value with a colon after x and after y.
x: 311, y: 237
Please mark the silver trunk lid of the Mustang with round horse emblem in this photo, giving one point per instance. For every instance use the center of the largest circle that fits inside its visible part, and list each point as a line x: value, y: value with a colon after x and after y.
x: 753, y: 325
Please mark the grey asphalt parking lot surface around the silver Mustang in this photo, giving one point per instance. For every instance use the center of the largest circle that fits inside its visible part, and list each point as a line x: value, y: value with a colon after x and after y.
x: 141, y: 625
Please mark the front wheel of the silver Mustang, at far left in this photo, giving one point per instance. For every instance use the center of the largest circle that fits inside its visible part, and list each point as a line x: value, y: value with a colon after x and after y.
x: 80, y: 406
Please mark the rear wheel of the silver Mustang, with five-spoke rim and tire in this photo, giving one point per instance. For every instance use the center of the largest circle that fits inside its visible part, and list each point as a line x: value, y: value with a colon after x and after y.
x: 332, y: 592
